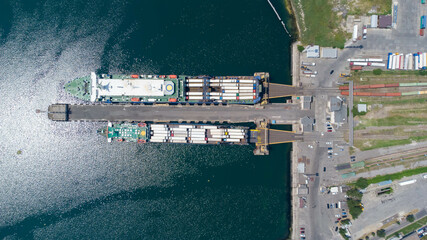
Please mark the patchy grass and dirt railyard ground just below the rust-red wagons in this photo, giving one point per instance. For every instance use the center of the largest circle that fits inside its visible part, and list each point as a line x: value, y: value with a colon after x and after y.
x: 389, y: 123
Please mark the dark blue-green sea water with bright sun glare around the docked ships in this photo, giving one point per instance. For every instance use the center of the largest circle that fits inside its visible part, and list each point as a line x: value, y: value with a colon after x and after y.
x: 69, y: 183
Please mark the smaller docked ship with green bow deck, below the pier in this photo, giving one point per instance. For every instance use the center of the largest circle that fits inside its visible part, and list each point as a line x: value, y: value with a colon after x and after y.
x: 176, y: 133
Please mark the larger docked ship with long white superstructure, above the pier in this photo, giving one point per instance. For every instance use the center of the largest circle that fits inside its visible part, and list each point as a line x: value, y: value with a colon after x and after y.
x: 135, y: 88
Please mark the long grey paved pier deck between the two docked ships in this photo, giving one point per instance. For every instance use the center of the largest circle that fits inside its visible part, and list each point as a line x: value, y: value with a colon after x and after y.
x: 282, y: 113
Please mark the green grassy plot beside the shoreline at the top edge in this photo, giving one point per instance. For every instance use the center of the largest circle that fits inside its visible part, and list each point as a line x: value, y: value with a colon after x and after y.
x: 319, y: 24
